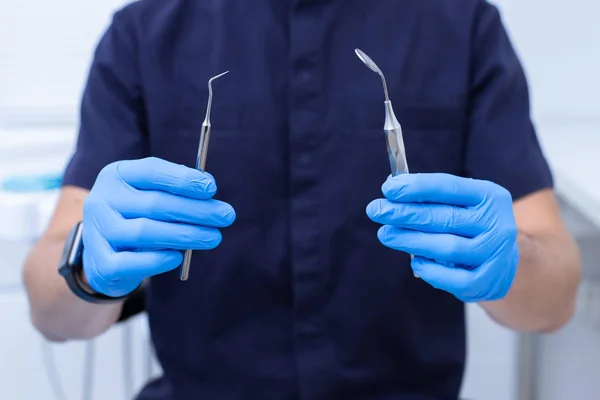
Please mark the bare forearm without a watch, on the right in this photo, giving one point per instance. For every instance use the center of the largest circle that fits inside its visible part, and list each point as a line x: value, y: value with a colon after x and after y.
x: 542, y: 296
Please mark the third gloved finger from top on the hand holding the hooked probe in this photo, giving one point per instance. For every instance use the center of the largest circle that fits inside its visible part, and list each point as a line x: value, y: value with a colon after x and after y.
x: 149, y: 234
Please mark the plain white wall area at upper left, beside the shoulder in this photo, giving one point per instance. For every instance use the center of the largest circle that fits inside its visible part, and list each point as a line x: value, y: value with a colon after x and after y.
x: 44, y: 55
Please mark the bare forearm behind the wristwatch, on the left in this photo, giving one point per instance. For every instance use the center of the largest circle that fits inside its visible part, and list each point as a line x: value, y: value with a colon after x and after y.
x: 55, y: 311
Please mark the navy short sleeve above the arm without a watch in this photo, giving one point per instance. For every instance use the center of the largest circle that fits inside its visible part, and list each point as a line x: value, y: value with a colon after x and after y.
x: 502, y: 145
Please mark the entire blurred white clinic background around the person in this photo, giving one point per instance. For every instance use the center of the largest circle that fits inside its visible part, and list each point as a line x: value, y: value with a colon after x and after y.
x: 45, y: 51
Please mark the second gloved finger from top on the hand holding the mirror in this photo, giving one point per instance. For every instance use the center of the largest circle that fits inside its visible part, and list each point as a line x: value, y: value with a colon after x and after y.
x: 433, y: 218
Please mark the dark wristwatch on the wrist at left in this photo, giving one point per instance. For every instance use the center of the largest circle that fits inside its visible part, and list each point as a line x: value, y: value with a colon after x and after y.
x: 70, y: 267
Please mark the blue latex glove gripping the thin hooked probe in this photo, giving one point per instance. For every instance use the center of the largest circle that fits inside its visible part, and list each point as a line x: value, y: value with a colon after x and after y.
x: 140, y: 215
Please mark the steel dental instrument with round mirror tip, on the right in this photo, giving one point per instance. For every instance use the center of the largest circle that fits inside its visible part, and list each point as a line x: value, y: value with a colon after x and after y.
x: 393, y: 130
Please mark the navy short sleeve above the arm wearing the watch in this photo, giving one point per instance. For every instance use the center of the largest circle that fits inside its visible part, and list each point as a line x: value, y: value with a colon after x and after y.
x: 112, y: 113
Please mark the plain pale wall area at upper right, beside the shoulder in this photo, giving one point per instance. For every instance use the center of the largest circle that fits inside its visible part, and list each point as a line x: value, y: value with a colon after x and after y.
x: 559, y: 43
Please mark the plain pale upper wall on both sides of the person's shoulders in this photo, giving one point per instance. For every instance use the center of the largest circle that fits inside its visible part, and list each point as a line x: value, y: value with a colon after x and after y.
x: 44, y: 55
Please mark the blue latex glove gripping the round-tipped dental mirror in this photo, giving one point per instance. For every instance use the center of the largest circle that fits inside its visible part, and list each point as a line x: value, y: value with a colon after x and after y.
x: 462, y: 232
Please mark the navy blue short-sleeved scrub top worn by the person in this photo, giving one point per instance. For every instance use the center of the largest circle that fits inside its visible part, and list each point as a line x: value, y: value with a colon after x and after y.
x: 301, y: 301
